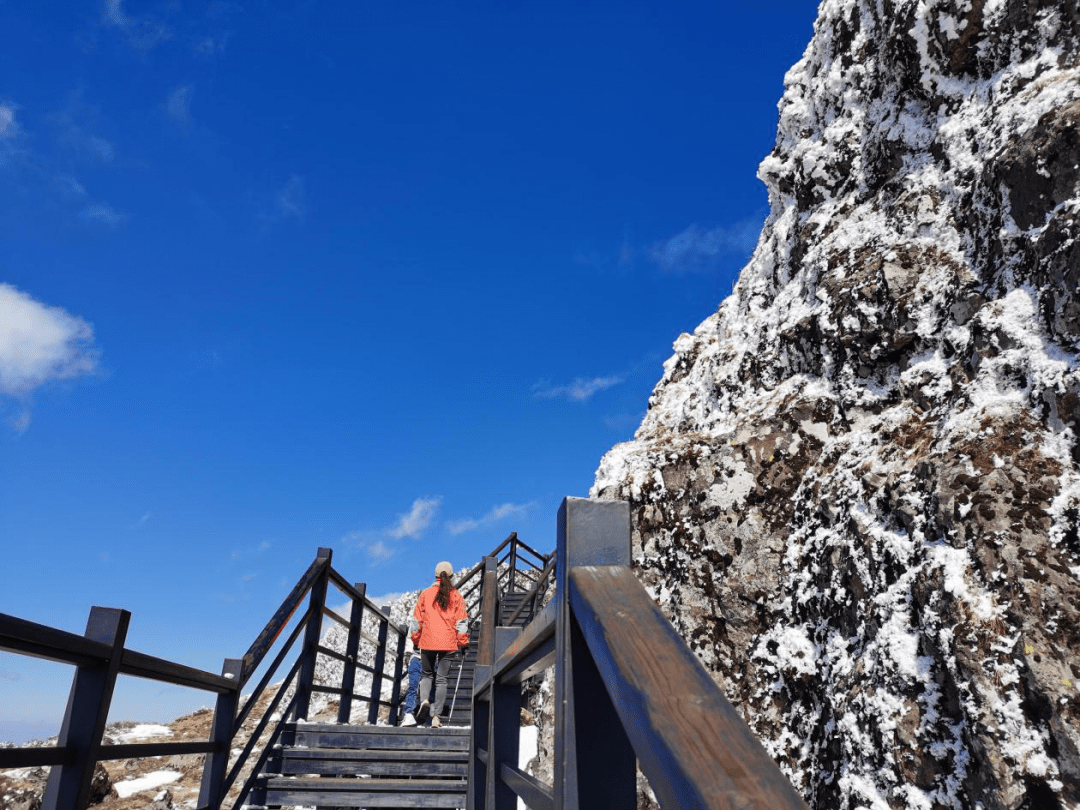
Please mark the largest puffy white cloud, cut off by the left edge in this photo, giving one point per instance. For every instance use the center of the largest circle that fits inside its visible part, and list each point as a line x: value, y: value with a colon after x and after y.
x: 39, y: 344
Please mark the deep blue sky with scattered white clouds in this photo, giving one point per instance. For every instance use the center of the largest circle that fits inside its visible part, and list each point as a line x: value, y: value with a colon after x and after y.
x: 383, y: 278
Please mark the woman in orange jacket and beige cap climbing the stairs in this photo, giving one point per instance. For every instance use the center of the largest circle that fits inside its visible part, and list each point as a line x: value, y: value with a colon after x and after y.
x: 442, y: 629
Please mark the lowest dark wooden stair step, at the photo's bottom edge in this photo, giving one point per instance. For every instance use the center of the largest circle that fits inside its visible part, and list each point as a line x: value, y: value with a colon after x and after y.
x: 345, y: 792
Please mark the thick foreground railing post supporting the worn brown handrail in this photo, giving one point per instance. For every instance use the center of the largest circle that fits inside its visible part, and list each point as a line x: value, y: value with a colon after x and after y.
x: 596, y: 765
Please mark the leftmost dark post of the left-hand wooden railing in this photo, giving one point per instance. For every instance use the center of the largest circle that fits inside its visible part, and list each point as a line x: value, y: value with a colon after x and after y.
x: 88, y: 710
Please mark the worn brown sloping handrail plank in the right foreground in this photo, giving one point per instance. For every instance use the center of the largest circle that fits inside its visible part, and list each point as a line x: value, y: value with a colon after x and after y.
x: 694, y: 747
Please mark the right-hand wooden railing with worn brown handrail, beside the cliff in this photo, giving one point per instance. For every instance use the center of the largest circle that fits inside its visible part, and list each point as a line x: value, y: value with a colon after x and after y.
x: 628, y: 691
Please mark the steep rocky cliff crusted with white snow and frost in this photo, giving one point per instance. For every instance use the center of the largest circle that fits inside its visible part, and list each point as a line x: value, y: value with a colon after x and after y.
x: 856, y: 491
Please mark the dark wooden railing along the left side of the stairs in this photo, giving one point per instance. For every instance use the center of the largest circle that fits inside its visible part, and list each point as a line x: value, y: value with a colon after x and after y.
x: 100, y: 656
